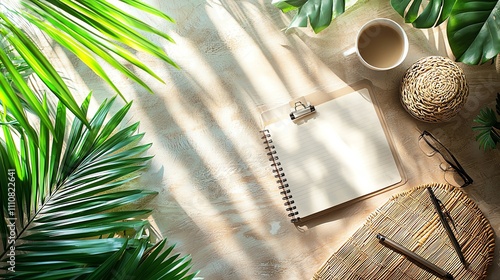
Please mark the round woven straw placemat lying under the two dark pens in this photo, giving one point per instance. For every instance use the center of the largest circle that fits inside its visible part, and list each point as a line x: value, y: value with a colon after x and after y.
x: 410, y: 219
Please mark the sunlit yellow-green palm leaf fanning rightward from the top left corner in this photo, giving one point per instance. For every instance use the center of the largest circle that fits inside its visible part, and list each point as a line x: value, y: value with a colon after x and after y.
x: 98, y: 28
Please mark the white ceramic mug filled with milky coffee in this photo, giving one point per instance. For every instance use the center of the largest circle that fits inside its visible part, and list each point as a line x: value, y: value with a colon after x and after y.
x: 381, y: 44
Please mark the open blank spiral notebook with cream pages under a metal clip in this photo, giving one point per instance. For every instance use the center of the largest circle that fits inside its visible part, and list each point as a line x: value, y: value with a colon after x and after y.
x: 339, y: 152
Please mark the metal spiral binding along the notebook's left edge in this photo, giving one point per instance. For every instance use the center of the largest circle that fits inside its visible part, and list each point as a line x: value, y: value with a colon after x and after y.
x: 279, y: 174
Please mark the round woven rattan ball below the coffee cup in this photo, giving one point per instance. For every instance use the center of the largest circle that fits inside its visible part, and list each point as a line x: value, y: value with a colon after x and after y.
x: 434, y: 89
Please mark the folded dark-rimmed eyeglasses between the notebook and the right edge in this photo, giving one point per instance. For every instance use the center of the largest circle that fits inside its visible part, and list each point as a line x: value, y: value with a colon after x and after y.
x: 454, y: 173
